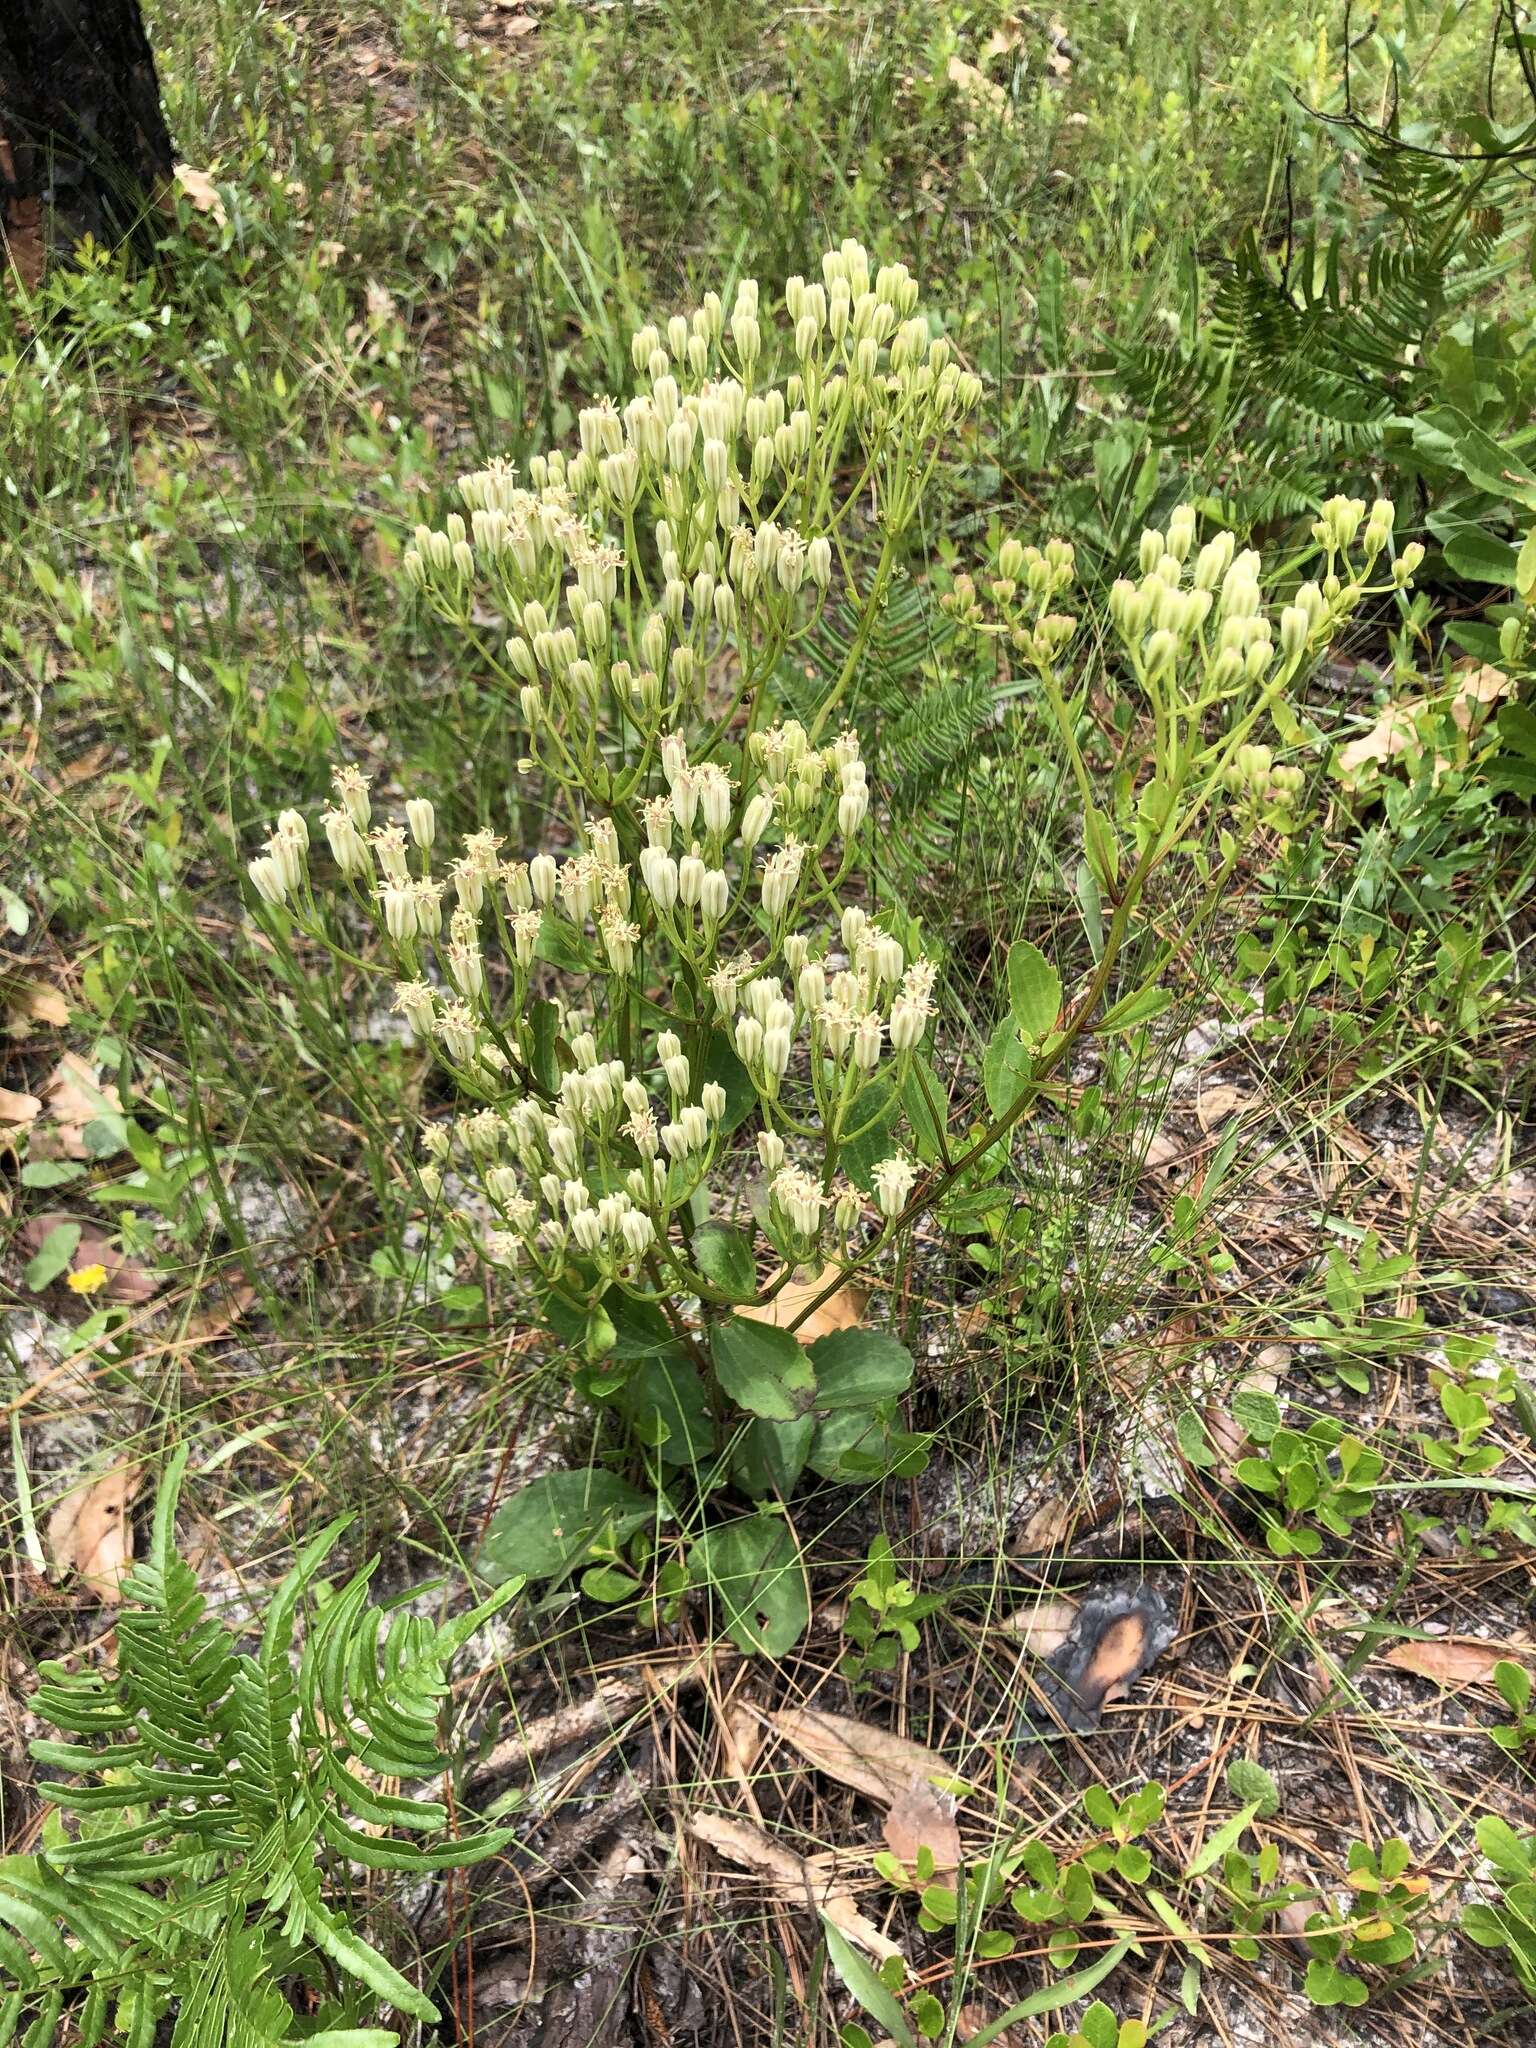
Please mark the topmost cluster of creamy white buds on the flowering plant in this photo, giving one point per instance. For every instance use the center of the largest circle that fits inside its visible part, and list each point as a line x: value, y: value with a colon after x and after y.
x: 699, y: 511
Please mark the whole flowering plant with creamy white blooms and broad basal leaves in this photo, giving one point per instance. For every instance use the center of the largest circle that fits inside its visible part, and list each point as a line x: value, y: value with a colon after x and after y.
x: 687, y: 980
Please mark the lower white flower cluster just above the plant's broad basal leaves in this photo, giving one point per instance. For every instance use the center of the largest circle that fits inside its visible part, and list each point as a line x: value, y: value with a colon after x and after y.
x: 577, y: 1160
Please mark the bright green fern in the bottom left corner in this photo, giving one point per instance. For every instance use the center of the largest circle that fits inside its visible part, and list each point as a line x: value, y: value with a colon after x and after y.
x: 198, y: 1877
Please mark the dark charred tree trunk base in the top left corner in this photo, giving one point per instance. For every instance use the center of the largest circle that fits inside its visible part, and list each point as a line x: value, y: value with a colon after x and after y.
x: 83, y: 142
